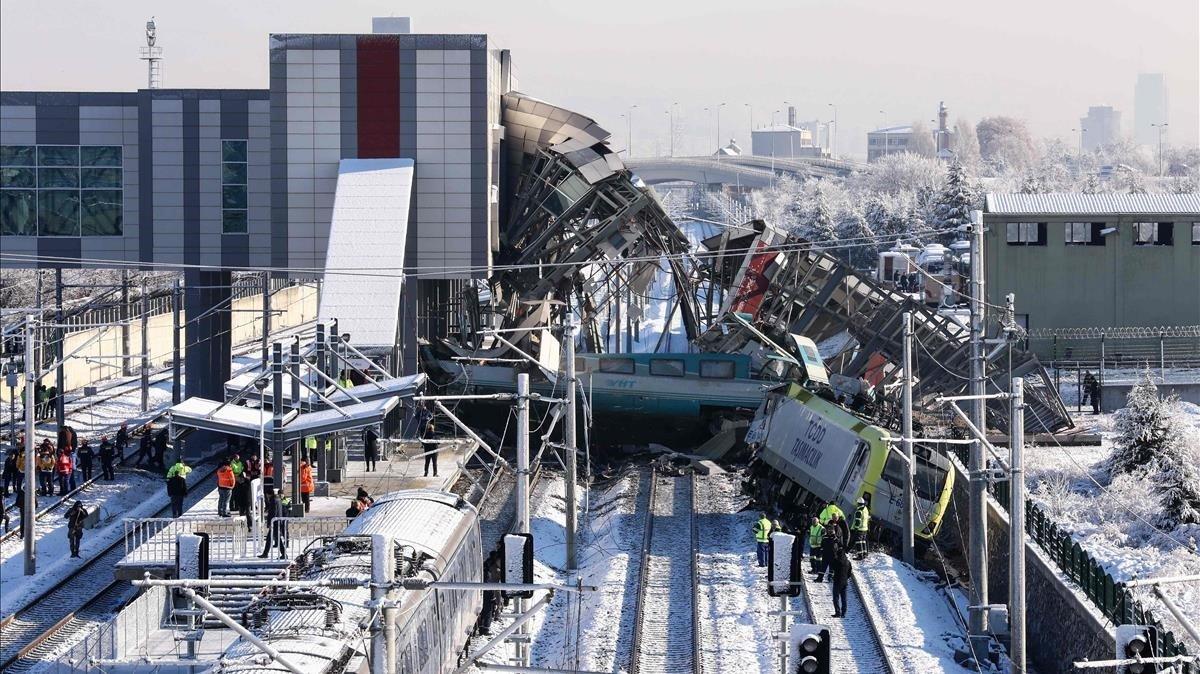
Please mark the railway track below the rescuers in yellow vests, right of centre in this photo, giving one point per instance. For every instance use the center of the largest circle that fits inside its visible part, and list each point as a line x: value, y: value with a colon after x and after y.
x: 856, y: 647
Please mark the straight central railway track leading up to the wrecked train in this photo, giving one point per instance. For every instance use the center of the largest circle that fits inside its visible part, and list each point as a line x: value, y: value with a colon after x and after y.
x: 667, y: 618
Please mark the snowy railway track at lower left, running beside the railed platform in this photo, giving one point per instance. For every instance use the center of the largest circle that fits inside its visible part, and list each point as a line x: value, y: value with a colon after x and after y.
x: 67, y: 611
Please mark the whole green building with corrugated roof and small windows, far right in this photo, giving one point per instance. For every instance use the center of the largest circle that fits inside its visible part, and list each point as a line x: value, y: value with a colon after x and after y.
x: 1095, y: 261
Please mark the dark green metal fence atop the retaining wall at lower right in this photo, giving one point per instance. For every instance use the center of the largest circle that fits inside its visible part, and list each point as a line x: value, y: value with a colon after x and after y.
x: 1111, y: 598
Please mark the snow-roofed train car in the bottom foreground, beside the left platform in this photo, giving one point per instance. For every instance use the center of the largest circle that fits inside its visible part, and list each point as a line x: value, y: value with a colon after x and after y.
x: 326, y: 630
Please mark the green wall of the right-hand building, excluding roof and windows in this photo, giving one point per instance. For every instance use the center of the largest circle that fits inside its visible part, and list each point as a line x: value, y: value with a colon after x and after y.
x: 1115, y: 285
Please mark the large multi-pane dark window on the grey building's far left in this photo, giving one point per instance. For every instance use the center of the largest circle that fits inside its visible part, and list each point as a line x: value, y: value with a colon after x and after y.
x: 61, y: 190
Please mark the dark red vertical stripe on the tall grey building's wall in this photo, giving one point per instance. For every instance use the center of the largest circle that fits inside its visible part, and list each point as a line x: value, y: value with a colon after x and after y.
x: 379, y: 71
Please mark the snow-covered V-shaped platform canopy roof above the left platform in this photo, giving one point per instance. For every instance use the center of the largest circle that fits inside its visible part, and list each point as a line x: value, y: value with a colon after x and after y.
x: 203, y: 414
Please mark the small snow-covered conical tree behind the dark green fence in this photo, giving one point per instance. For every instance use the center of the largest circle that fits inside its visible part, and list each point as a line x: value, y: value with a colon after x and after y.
x: 1143, y: 429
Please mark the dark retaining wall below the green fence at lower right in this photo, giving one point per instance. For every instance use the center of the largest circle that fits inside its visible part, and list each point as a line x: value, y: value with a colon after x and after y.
x: 1061, y: 624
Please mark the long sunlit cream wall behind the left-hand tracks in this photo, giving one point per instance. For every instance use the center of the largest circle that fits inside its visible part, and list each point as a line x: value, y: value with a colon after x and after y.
x: 94, y: 363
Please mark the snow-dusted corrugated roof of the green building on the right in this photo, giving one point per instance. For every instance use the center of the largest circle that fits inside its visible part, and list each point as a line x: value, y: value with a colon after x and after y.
x: 1070, y: 203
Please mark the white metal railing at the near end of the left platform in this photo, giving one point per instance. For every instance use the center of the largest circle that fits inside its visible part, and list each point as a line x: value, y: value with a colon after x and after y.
x: 153, y: 540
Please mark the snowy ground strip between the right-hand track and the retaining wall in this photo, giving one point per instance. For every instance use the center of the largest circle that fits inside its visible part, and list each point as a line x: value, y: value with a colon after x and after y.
x: 921, y: 633
